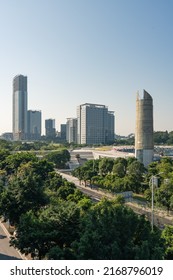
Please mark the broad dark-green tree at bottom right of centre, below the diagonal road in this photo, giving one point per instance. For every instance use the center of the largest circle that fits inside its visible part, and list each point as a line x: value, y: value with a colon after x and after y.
x: 112, y: 231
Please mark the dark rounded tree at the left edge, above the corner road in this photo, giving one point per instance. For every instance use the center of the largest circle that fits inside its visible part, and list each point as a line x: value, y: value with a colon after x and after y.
x: 22, y: 195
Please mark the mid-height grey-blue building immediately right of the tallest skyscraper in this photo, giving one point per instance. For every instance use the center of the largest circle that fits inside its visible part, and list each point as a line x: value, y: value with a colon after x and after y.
x: 34, y: 125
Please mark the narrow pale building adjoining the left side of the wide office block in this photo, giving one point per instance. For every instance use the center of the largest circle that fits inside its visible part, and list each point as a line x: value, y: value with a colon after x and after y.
x: 71, y: 130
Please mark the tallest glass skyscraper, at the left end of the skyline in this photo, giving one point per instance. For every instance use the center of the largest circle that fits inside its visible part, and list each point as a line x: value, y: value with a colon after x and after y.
x: 20, y: 107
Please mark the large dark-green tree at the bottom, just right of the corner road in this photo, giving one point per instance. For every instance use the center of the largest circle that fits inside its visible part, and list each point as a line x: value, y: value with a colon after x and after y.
x: 56, y: 226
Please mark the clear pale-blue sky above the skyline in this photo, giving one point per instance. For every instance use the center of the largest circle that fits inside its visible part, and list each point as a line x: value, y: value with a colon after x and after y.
x: 95, y: 51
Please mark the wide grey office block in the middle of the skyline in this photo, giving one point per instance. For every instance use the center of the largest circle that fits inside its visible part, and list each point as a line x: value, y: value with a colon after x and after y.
x: 95, y: 124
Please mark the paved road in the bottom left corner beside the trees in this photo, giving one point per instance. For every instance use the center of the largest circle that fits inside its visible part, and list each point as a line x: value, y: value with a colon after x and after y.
x: 7, y: 252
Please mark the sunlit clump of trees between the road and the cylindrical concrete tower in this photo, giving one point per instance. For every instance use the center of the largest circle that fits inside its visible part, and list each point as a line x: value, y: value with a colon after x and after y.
x: 115, y: 175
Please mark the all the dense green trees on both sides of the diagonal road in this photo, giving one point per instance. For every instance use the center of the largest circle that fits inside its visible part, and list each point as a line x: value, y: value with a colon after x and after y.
x: 54, y: 220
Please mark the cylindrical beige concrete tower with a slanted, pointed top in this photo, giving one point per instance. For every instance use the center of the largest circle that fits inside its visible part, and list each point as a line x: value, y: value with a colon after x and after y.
x: 144, y: 145
